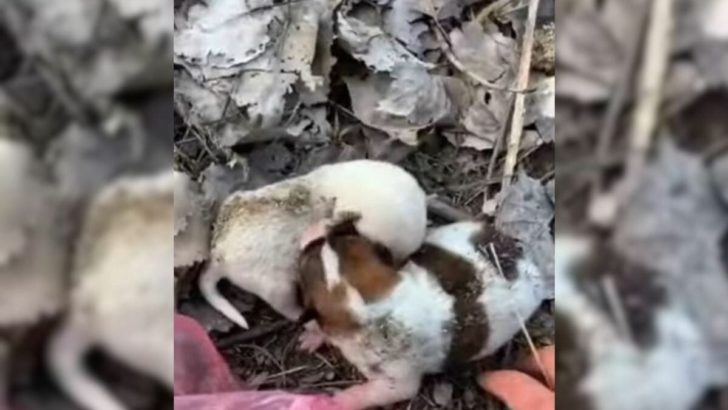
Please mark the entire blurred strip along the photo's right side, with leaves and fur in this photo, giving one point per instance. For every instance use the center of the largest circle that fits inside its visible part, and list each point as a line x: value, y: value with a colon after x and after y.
x: 642, y: 204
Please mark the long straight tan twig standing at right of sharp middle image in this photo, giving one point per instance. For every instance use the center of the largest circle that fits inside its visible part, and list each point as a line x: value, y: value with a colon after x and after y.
x: 514, y: 141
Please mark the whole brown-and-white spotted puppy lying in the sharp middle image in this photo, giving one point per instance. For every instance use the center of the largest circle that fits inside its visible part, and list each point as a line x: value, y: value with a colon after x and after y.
x: 451, y: 303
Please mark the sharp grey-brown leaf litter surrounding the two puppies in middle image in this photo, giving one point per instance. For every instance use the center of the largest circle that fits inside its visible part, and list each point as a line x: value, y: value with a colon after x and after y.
x: 318, y: 82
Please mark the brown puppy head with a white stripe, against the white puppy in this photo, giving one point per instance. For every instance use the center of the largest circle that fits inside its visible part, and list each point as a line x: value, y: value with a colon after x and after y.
x: 339, y: 272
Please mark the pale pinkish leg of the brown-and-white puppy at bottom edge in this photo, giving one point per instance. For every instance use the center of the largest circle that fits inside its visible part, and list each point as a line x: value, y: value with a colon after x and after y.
x: 379, y: 391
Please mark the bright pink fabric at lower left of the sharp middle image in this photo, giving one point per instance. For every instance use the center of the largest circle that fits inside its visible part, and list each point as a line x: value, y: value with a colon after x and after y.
x: 203, y: 381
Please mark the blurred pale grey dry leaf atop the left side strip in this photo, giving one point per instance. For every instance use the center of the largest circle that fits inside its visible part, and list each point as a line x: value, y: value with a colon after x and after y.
x: 59, y: 33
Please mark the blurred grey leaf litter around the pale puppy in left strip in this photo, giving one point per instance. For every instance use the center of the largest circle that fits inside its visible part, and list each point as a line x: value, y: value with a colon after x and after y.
x: 69, y: 126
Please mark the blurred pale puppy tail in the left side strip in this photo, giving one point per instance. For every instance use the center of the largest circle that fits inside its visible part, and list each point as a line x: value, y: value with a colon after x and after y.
x: 65, y: 355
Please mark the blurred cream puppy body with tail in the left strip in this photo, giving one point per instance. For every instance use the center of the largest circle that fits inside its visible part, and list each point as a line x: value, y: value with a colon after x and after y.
x: 122, y: 295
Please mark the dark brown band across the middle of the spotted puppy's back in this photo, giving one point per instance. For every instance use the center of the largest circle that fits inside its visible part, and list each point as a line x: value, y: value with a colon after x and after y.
x: 459, y: 279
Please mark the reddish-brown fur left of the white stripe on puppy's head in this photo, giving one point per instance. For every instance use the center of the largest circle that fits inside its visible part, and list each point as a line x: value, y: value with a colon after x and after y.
x: 327, y: 307
